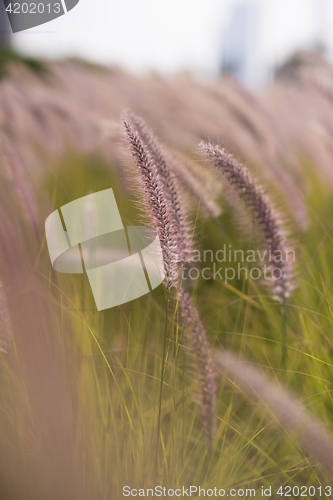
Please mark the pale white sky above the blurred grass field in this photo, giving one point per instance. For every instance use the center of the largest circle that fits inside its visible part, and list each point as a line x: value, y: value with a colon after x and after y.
x: 171, y: 35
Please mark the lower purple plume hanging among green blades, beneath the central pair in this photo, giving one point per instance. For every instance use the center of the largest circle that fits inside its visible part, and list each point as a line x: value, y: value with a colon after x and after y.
x: 203, y: 363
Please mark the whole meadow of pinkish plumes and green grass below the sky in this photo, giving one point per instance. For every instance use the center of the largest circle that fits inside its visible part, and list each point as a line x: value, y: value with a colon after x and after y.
x: 248, y: 404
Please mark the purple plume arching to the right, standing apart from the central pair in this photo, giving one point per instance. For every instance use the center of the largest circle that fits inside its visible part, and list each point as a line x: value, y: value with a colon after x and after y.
x: 264, y: 216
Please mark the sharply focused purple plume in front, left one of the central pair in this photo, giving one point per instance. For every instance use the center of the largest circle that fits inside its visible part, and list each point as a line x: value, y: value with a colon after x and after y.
x: 157, y: 206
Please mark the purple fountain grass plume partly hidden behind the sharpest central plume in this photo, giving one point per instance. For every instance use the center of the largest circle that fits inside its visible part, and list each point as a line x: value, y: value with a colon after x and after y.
x: 161, y: 163
